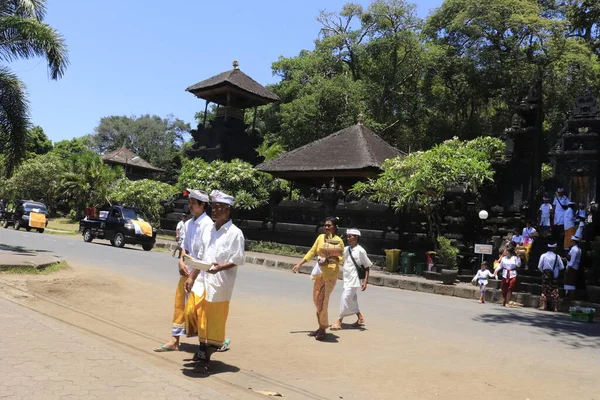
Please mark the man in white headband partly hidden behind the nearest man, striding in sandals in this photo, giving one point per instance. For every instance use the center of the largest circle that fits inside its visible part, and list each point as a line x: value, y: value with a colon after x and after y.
x: 194, y: 228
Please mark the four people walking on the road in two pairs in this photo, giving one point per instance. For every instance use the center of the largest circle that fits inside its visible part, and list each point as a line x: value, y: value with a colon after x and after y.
x: 202, y: 296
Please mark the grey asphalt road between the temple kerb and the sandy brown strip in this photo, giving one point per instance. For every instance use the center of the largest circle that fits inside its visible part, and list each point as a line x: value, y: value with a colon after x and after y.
x: 441, y: 315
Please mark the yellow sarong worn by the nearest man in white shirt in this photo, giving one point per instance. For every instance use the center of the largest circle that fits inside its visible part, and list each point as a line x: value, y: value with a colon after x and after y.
x: 207, y: 319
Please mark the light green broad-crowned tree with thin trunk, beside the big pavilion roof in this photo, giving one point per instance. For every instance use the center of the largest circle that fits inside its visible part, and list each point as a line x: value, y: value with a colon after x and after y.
x: 420, y: 180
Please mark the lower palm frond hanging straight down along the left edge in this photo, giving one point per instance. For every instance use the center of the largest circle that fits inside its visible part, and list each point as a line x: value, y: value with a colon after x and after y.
x: 14, y: 118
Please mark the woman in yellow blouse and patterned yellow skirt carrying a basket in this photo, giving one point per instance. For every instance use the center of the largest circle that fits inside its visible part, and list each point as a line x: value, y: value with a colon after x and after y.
x: 329, y: 247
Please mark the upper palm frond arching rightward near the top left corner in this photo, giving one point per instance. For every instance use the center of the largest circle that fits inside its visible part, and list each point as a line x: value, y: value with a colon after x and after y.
x: 22, y: 37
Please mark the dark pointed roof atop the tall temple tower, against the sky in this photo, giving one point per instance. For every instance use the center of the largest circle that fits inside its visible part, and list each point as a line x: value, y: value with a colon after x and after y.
x: 245, y: 91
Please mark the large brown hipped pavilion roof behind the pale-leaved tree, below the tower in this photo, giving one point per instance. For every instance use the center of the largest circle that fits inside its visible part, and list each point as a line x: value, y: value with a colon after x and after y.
x: 354, y: 151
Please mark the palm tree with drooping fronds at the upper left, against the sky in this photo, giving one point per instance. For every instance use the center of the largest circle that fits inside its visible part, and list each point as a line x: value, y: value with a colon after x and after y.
x: 23, y: 34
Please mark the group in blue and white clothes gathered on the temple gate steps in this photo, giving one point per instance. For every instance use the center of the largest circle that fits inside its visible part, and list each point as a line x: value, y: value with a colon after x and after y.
x: 565, y: 225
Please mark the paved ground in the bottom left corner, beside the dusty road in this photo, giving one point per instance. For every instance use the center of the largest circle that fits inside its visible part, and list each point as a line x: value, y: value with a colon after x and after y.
x: 54, y: 361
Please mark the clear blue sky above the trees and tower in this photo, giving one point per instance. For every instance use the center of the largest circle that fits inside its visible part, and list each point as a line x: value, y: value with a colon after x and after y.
x: 134, y: 57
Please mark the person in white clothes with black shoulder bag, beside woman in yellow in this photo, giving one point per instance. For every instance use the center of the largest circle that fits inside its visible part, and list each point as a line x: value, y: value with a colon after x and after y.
x: 356, y: 275
